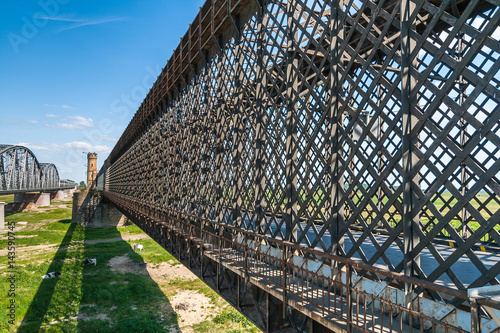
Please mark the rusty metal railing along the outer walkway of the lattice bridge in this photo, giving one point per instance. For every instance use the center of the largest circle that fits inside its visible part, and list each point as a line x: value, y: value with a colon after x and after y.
x: 329, y: 286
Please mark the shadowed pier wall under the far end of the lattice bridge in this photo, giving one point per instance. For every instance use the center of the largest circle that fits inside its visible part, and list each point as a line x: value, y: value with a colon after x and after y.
x: 91, y: 211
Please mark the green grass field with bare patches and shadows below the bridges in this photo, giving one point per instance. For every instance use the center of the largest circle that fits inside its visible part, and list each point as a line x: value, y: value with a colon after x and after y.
x: 131, y: 302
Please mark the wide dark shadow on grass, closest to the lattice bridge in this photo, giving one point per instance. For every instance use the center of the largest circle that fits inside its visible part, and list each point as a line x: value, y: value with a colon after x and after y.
x: 118, y: 295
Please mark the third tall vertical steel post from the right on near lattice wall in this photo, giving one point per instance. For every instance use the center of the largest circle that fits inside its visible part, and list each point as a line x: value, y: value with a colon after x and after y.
x: 291, y: 218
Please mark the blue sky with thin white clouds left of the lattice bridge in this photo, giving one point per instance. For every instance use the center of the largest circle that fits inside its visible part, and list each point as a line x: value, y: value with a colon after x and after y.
x: 72, y: 73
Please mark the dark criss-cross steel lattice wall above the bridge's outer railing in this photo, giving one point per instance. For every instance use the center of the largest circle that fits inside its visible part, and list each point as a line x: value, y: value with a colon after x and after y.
x: 362, y: 129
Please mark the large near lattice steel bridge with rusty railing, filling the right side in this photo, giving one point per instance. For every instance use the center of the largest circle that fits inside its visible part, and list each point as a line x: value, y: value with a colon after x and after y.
x: 327, y: 164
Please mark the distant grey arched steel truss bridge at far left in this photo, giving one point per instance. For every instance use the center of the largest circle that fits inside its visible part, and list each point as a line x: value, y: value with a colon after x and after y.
x: 21, y: 172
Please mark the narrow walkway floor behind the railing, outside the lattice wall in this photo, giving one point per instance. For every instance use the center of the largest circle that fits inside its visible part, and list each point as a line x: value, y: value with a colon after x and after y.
x: 325, y: 298
